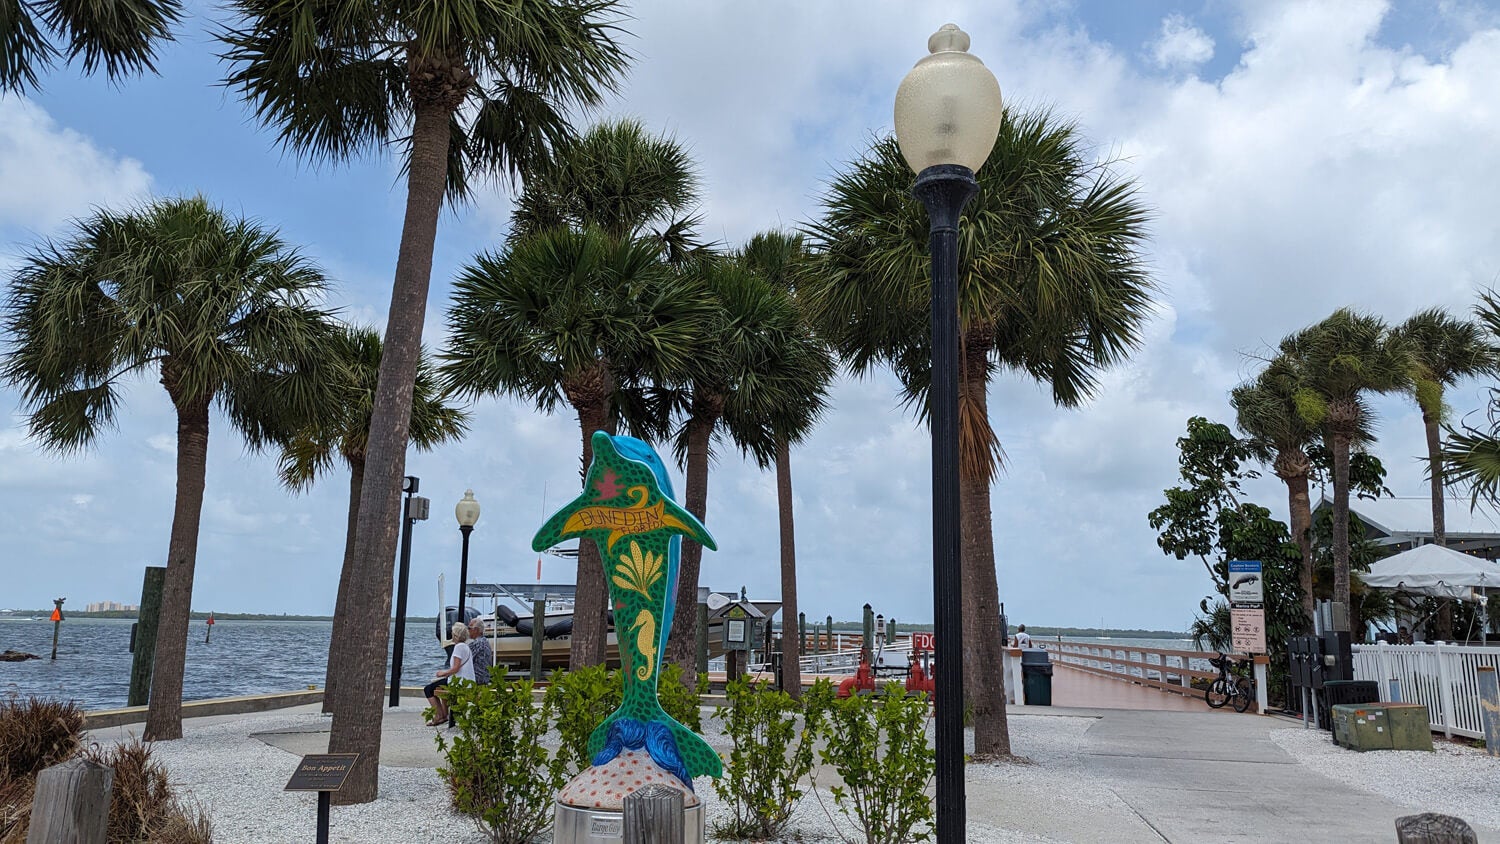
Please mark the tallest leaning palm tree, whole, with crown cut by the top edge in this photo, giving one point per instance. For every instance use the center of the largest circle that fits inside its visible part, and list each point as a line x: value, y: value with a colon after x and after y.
x: 481, y: 88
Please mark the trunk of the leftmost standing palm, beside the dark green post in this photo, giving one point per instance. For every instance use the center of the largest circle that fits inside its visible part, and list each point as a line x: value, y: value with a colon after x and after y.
x: 164, y: 717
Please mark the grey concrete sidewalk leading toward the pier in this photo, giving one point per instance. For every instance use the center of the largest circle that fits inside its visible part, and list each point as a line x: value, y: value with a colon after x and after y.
x: 1190, y: 777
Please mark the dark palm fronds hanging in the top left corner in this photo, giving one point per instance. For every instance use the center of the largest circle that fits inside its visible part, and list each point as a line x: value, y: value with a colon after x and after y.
x: 122, y: 38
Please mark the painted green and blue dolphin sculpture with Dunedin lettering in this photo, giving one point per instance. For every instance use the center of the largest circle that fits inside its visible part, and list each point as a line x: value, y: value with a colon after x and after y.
x: 628, y: 510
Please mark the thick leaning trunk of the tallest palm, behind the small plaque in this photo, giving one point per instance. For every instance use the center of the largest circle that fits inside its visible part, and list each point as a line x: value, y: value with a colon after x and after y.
x: 358, y: 707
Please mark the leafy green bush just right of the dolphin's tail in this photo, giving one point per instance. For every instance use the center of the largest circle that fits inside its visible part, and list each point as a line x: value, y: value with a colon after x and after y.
x: 773, y: 738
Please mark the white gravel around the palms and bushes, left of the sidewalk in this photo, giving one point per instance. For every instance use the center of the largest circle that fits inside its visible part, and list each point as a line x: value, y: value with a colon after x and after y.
x: 239, y: 782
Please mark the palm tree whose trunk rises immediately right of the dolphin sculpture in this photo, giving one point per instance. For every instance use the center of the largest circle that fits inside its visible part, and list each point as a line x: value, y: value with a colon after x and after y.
x: 740, y: 370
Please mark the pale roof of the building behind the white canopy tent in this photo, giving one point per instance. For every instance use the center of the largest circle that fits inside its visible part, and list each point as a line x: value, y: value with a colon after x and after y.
x: 1403, y: 524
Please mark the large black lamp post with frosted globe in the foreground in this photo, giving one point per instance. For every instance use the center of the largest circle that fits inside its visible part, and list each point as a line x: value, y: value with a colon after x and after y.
x: 947, y: 119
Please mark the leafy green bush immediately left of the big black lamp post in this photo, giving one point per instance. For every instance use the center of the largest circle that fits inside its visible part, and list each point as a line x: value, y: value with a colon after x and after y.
x: 878, y: 746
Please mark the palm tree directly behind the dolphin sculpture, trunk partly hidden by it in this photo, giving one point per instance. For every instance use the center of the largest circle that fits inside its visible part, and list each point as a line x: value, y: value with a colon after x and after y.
x: 572, y: 317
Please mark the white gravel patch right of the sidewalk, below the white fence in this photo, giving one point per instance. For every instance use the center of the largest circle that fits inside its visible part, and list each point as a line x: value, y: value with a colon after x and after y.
x: 1456, y: 779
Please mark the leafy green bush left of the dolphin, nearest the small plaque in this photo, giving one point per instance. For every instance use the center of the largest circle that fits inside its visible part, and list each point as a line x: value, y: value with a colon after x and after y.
x: 497, y: 770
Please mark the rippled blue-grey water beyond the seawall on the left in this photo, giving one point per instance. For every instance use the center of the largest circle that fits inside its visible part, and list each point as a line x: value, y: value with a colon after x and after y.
x: 245, y: 657
